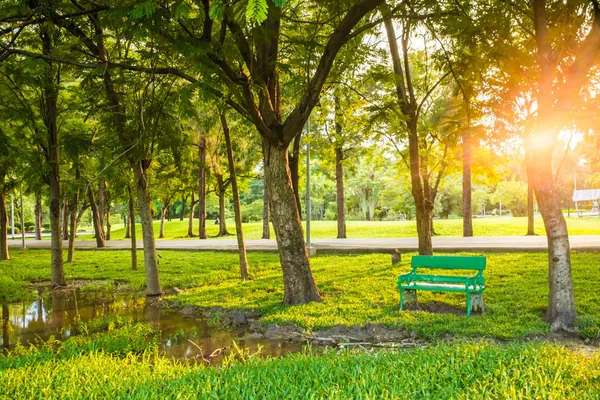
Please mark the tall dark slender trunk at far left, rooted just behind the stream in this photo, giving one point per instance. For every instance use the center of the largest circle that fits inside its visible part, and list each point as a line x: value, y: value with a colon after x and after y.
x: 50, y: 116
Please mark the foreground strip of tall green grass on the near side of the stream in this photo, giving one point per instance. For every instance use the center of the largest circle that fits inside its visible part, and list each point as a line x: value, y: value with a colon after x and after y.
x: 89, y: 369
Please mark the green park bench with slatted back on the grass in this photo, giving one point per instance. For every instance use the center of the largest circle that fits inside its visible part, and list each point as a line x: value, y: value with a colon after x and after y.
x: 472, y: 286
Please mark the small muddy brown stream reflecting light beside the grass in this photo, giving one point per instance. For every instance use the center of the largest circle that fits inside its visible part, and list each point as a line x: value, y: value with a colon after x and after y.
x: 56, y: 314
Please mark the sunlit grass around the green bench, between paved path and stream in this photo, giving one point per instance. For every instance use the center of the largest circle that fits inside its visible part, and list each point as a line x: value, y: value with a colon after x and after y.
x: 357, y: 289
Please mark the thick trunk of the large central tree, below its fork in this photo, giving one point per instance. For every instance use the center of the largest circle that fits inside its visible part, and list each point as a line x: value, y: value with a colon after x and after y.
x: 299, y: 284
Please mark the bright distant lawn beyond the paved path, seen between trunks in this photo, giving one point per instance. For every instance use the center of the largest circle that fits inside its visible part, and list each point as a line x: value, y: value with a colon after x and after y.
x: 505, y: 226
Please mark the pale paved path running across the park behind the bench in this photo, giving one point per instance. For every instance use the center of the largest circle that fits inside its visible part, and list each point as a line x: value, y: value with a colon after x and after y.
x: 500, y: 244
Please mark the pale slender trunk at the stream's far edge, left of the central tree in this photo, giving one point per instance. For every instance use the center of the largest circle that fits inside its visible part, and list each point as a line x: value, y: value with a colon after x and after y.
x: 150, y: 259
